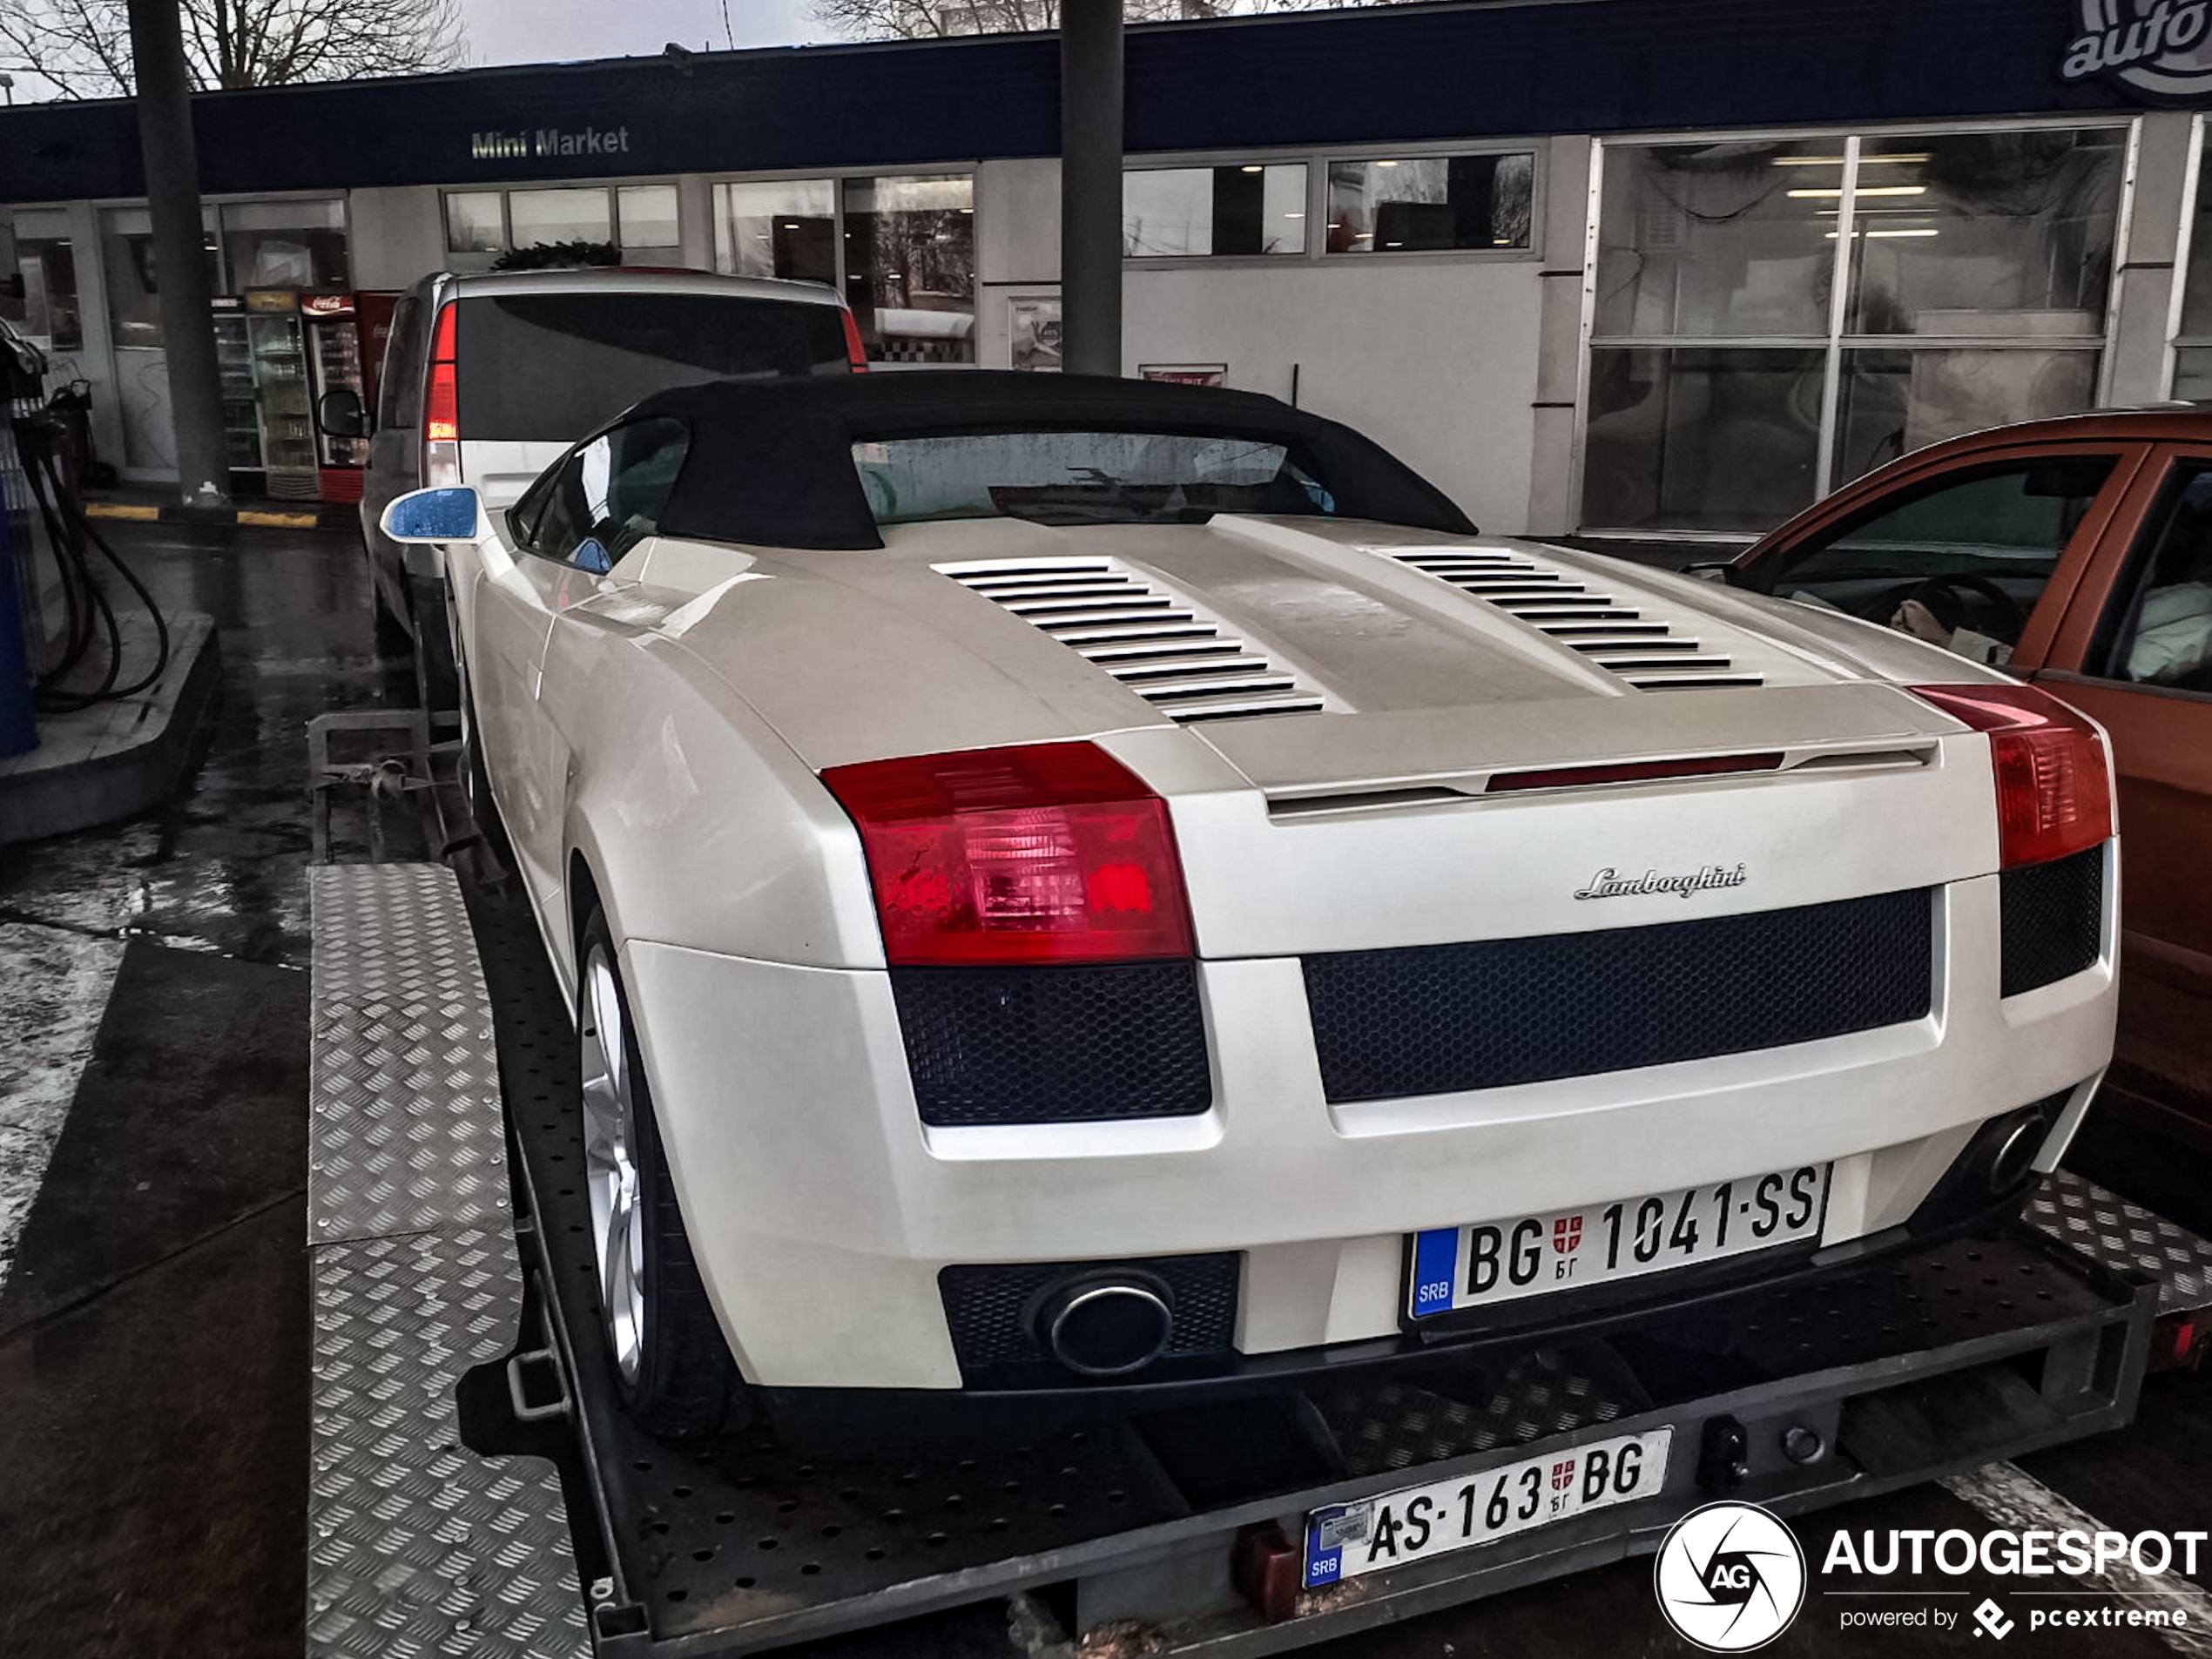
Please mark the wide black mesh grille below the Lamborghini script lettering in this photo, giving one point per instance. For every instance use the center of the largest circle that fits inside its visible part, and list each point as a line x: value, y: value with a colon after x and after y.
x: 1516, y: 1012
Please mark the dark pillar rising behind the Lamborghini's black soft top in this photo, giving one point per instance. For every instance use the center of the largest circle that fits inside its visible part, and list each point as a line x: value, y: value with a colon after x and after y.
x: 1092, y: 187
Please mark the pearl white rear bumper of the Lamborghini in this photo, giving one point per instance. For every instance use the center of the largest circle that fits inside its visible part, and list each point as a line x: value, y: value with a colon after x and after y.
x: 822, y: 1207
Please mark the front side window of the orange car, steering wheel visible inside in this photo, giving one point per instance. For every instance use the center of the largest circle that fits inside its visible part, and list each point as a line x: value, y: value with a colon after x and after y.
x: 1961, y: 561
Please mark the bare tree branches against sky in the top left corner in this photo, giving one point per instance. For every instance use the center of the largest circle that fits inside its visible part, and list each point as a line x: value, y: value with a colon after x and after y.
x: 83, y: 48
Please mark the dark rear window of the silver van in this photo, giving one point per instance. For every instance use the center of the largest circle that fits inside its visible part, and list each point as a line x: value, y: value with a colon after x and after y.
x: 554, y: 366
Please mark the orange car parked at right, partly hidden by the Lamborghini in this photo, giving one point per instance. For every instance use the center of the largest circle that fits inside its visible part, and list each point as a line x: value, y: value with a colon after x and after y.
x: 2080, y: 556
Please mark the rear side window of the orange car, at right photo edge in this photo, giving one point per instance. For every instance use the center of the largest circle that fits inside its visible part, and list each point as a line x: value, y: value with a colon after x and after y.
x: 2158, y: 625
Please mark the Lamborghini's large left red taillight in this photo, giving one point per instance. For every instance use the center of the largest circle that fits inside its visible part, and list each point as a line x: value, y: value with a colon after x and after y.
x: 1023, y: 855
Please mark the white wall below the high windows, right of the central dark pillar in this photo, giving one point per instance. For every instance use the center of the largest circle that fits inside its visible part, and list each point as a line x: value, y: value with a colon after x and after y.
x: 1430, y: 357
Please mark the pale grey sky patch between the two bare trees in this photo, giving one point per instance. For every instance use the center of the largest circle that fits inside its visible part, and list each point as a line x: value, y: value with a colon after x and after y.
x: 536, y: 32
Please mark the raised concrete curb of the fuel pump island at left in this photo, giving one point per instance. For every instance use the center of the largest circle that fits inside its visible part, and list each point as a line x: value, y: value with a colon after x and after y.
x: 116, y: 760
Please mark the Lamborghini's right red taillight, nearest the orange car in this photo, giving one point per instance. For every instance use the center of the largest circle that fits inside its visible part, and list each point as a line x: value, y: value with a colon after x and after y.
x: 2054, y: 782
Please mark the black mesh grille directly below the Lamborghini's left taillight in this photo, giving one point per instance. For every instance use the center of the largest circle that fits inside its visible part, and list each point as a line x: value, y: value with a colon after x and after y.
x: 1054, y: 1045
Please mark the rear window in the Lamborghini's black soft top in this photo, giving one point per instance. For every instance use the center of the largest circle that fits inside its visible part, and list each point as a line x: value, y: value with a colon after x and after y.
x: 1083, y: 479
